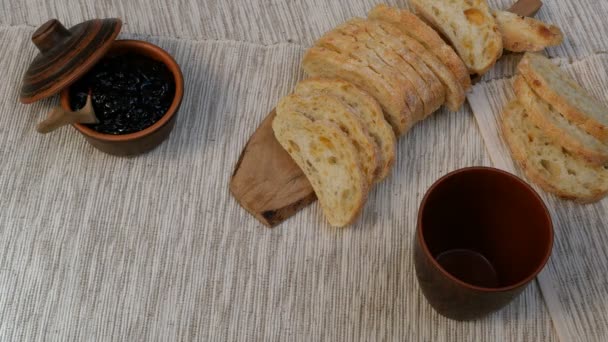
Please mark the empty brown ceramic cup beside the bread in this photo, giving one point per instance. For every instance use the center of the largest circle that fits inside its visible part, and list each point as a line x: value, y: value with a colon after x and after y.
x: 482, y: 236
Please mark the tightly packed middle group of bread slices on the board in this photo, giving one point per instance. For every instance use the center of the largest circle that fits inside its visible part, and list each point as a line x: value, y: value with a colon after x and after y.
x: 398, y: 59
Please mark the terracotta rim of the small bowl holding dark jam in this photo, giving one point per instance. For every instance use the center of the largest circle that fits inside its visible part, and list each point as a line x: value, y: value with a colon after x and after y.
x: 164, y: 57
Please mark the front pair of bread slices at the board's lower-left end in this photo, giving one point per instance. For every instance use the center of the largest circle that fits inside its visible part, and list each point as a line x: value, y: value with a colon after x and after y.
x: 338, y: 136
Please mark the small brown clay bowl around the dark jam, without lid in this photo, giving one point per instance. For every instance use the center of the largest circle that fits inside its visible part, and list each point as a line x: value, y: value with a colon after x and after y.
x: 146, y: 139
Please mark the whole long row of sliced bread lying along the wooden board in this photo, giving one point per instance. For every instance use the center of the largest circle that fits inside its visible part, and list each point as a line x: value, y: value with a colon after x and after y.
x: 372, y: 79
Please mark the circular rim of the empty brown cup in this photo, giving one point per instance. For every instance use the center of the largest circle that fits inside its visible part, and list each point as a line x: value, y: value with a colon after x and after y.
x: 427, y: 252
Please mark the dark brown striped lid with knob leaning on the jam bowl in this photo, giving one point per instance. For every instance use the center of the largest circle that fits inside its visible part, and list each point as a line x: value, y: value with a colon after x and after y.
x: 65, y: 55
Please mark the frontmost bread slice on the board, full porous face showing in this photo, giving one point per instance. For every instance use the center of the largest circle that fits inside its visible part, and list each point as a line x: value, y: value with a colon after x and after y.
x: 330, y: 162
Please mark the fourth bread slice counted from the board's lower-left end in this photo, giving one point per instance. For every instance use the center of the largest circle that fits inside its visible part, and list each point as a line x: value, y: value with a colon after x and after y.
x: 348, y: 45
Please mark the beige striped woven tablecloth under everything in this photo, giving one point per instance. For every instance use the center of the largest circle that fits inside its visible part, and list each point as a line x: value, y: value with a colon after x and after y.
x: 153, y: 248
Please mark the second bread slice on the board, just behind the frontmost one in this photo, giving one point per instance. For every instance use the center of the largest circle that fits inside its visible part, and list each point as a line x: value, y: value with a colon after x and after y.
x: 323, y: 107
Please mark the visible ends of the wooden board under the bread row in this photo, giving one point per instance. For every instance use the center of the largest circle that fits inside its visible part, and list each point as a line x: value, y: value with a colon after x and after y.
x: 269, y: 184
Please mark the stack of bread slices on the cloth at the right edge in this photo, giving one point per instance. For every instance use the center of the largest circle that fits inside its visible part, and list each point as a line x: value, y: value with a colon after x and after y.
x: 557, y: 132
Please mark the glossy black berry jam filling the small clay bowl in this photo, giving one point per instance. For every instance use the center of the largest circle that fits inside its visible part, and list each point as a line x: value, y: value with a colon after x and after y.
x: 129, y: 92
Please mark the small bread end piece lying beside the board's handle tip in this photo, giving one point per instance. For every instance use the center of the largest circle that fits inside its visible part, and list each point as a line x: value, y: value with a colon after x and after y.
x: 521, y: 34
